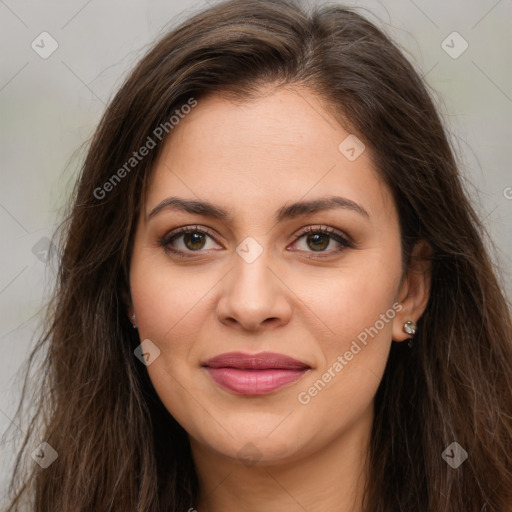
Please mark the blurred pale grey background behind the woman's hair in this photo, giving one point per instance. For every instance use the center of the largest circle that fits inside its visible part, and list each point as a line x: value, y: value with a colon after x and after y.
x: 61, y: 63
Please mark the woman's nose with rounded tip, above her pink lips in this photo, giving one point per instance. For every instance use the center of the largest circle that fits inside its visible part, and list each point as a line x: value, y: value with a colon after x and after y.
x: 254, y: 296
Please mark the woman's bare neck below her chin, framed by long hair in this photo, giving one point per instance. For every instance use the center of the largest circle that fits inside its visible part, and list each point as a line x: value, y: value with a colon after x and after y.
x: 332, y: 478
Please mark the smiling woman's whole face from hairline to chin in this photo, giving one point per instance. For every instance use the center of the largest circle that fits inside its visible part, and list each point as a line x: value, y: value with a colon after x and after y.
x: 254, y: 280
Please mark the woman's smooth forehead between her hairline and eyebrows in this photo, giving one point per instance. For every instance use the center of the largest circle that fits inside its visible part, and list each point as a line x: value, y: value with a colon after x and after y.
x: 282, y: 146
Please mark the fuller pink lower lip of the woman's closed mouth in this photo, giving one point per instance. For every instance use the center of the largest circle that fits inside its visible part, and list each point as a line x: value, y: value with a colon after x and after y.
x: 254, y: 382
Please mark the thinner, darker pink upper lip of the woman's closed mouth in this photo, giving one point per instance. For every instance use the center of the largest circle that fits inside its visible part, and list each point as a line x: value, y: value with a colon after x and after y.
x: 260, y: 361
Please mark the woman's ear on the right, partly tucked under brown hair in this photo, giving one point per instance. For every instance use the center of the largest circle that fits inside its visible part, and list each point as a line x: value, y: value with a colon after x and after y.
x: 414, y: 289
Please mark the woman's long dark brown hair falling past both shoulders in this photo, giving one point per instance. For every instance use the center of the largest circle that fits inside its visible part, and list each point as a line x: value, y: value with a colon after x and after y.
x: 118, y: 447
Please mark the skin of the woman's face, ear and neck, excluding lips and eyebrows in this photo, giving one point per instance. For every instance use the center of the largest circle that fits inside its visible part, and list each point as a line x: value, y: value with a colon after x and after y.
x: 251, y: 159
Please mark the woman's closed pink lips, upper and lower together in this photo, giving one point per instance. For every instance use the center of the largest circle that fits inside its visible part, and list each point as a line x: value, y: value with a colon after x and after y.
x: 255, y: 374
